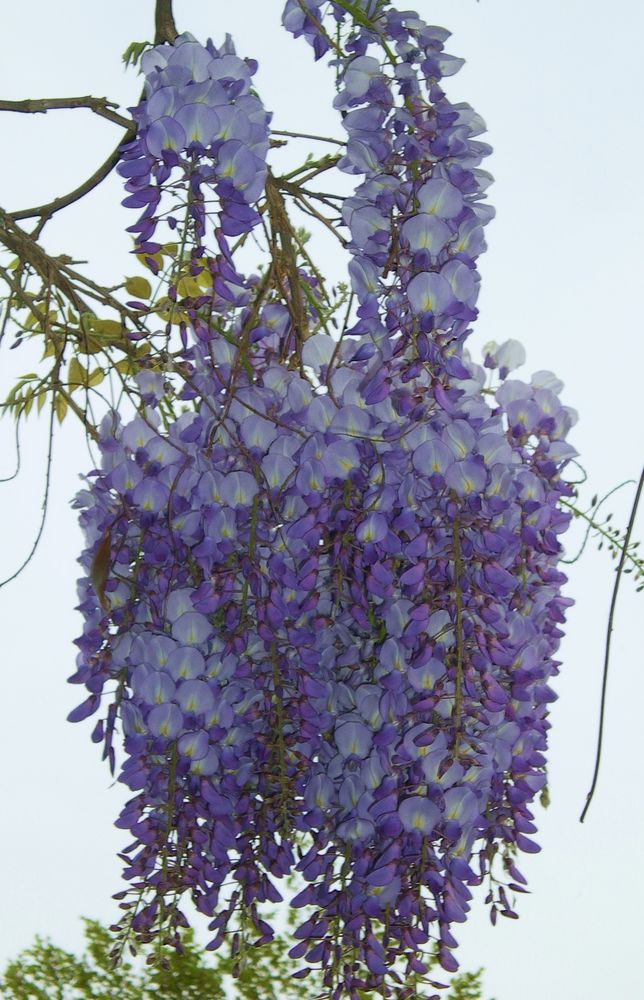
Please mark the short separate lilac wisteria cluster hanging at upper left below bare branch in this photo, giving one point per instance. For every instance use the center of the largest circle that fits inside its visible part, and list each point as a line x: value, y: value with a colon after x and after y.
x: 202, y: 134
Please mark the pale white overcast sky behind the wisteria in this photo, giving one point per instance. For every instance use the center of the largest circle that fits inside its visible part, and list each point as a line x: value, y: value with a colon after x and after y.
x: 559, y: 85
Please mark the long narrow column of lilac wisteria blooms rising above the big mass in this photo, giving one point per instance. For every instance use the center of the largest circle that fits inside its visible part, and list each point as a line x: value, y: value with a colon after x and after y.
x: 416, y: 222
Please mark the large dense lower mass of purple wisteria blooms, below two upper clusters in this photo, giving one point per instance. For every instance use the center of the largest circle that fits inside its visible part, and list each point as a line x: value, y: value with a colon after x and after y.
x: 332, y: 623
